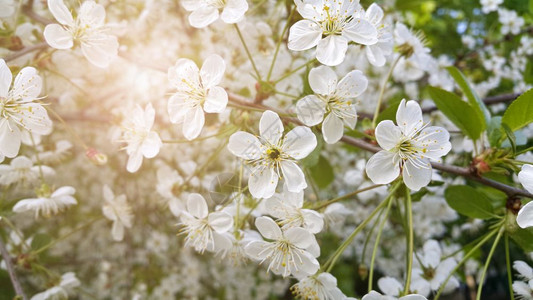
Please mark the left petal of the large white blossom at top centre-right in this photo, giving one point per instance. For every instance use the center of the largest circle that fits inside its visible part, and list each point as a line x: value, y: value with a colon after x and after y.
x: 304, y: 35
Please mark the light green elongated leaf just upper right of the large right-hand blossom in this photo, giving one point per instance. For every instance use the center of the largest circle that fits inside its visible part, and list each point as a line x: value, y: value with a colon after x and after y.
x: 458, y: 111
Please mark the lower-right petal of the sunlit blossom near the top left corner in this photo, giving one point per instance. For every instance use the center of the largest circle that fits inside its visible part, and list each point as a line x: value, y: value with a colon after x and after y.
x: 100, y: 50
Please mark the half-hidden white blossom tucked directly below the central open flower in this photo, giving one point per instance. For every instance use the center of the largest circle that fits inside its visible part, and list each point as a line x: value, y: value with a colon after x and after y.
x: 288, y: 209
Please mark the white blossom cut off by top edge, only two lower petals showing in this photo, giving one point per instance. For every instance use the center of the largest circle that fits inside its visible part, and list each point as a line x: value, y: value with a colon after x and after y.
x: 205, y: 12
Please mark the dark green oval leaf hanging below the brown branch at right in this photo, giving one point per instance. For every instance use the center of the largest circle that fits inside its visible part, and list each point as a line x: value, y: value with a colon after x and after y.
x: 468, y: 201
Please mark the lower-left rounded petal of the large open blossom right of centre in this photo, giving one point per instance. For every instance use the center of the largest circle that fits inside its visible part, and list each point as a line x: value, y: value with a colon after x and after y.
x: 383, y: 167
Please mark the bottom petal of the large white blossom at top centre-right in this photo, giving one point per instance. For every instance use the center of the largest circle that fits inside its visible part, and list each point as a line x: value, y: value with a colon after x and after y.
x: 331, y: 50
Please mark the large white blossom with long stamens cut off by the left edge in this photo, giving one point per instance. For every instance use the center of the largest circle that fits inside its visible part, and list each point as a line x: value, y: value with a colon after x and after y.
x: 18, y: 111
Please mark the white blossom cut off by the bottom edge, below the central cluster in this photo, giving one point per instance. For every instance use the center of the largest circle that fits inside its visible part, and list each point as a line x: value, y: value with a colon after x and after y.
x: 320, y: 287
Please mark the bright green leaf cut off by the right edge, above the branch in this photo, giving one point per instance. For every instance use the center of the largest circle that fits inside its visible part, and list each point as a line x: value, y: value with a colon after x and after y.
x: 520, y: 112
